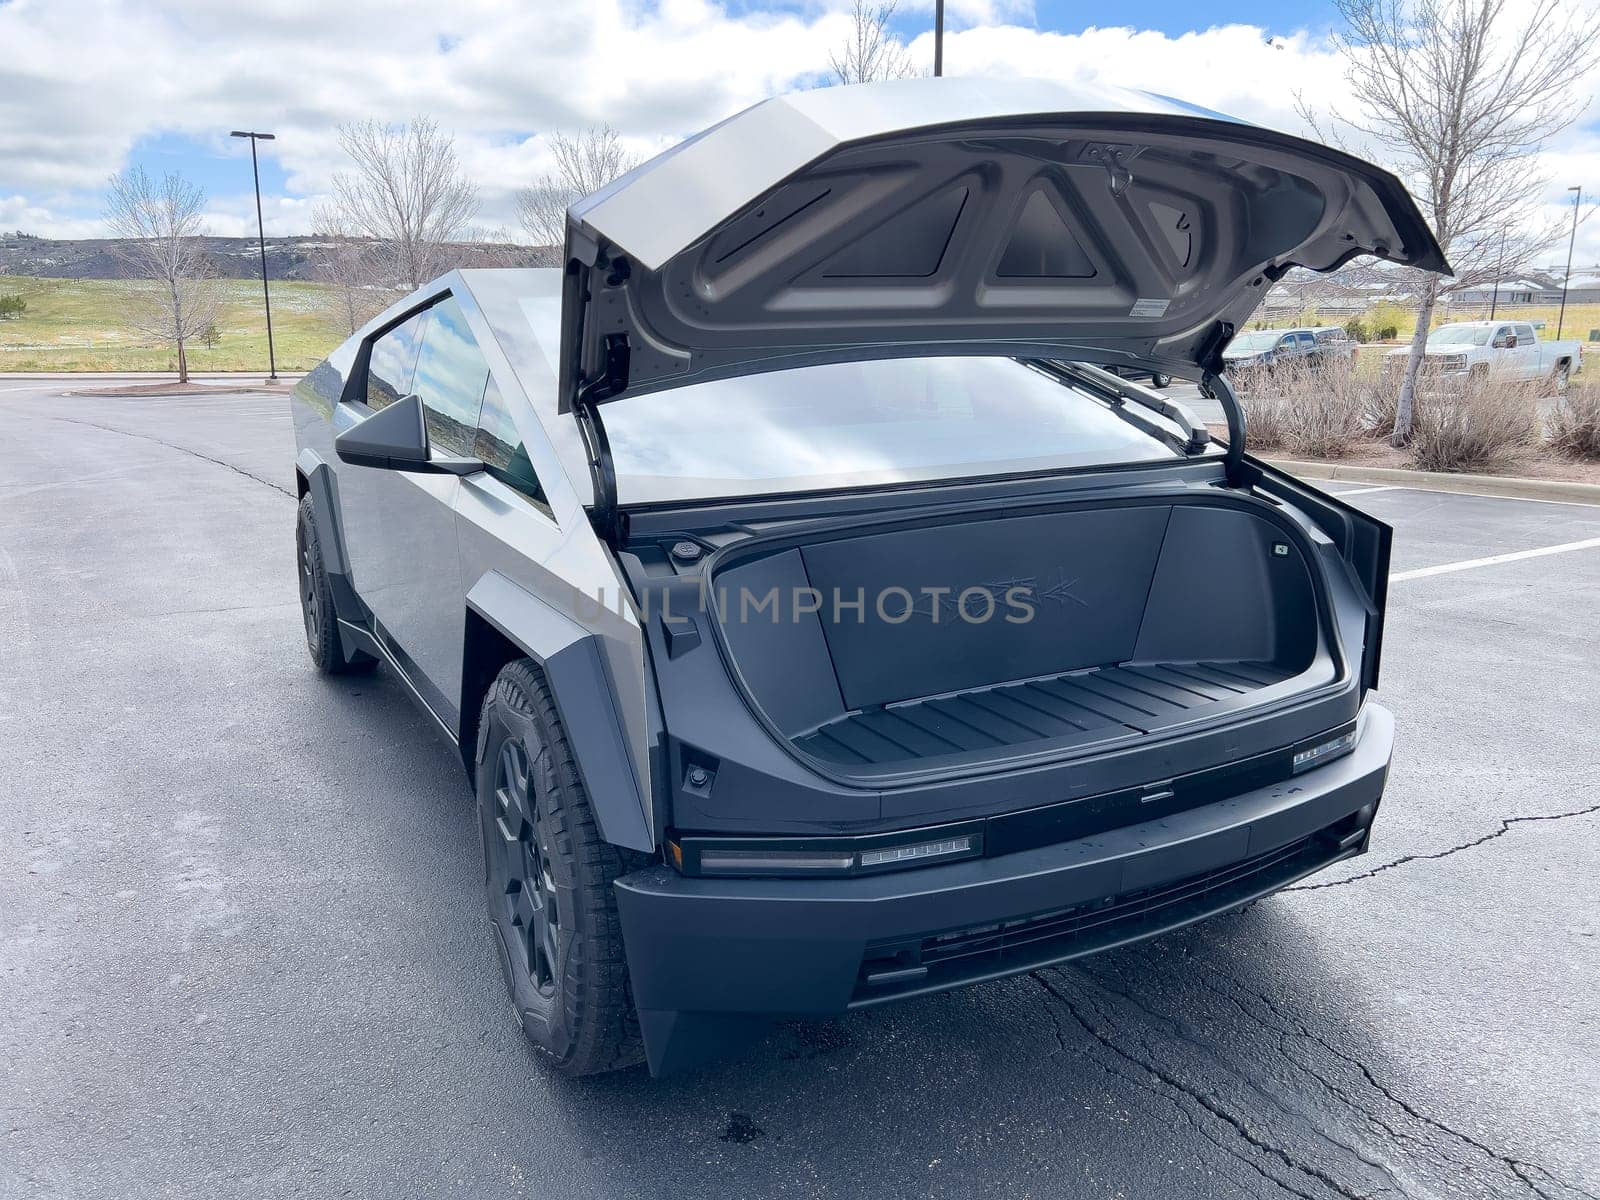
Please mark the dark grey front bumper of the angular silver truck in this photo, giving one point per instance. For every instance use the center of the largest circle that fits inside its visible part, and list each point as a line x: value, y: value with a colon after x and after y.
x: 714, y: 961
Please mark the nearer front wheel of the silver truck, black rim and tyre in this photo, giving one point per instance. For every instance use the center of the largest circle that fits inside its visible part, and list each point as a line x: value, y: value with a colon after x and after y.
x: 550, y: 876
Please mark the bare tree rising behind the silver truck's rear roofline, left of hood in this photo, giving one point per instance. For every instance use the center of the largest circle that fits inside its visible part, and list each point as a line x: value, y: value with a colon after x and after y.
x: 407, y: 194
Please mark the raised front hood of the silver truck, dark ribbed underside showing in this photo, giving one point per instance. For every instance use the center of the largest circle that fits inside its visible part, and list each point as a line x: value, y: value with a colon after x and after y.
x: 958, y: 217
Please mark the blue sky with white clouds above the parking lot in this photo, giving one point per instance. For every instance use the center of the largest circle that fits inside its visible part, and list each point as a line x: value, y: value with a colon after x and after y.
x: 94, y: 87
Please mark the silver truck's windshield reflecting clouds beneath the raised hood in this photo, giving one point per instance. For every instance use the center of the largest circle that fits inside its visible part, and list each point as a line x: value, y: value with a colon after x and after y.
x: 862, y: 425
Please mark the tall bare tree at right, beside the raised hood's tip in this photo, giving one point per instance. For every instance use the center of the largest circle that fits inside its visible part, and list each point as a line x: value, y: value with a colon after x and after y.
x: 1460, y: 95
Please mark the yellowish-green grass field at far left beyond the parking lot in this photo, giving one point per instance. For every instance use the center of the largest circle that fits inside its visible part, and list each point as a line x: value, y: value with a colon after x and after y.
x: 79, y: 326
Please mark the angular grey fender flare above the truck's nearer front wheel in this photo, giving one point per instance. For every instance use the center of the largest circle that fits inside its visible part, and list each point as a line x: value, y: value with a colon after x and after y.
x: 582, y: 687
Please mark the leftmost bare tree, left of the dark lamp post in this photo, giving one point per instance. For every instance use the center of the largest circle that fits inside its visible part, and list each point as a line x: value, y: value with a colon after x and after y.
x: 161, y: 231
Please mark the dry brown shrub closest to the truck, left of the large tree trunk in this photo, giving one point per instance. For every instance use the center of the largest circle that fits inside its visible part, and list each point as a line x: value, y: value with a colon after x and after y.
x: 1308, y: 410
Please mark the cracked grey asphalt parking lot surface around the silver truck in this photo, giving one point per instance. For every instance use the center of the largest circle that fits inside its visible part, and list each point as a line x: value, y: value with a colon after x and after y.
x: 246, y: 953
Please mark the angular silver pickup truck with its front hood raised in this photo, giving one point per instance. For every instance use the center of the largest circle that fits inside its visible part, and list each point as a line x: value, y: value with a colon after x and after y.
x: 815, y: 628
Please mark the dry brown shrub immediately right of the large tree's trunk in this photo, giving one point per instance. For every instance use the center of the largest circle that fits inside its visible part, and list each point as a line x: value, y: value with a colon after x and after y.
x: 1474, y: 425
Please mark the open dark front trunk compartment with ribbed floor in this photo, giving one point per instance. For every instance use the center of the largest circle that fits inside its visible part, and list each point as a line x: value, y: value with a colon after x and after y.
x: 1098, y: 625
